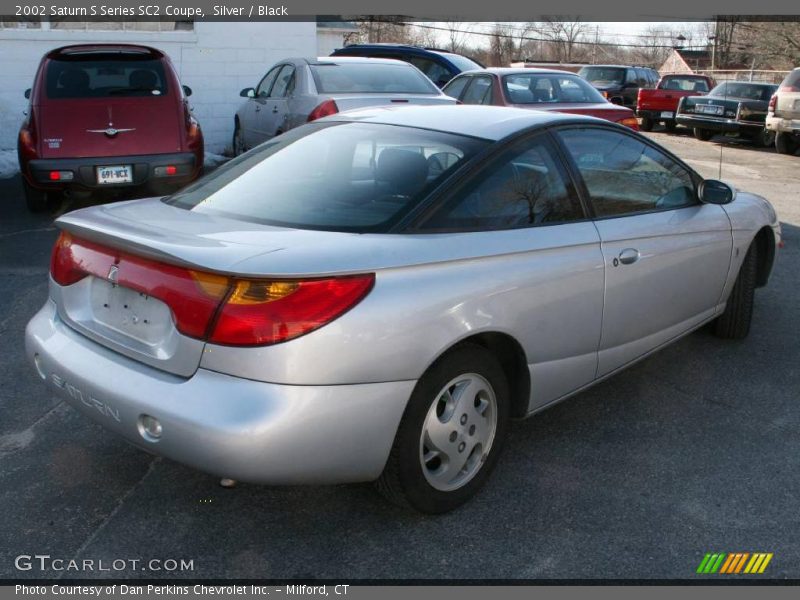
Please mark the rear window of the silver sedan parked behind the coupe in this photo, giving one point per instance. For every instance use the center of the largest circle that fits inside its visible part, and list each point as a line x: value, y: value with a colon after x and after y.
x: 365, y: 78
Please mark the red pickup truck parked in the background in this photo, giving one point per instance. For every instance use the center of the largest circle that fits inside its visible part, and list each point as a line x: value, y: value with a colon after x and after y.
x: 660, y: 104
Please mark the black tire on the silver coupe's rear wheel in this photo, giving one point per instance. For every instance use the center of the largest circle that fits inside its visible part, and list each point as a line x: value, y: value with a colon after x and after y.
x: 404, y: 480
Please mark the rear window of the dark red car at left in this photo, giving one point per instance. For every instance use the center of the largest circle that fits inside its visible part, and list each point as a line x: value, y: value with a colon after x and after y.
x: 101, y: 78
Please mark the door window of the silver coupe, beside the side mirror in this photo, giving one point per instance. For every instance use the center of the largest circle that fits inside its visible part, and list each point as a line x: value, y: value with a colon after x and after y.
x: 624, y: 175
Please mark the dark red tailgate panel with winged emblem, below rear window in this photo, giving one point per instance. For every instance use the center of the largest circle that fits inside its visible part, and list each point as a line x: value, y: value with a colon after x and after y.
x: 74, y: 128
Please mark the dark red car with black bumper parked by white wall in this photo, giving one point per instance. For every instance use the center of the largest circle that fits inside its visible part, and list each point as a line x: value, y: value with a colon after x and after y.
x: 105, y: 118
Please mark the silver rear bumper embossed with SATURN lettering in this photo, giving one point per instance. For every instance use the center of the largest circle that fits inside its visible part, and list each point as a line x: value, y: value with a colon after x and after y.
x: 228, y: 426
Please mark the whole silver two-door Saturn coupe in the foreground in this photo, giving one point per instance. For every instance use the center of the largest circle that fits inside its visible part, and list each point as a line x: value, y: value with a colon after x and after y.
x: 373, y: 295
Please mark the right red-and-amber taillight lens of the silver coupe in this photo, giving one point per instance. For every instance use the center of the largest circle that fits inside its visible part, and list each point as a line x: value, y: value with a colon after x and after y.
x: 267, y: 312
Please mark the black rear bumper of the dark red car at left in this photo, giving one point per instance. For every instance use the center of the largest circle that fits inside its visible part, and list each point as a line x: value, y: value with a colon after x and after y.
x: 84, y: 170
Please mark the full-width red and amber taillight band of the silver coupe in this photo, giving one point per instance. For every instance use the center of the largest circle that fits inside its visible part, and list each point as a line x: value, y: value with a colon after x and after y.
x: 213, y: 307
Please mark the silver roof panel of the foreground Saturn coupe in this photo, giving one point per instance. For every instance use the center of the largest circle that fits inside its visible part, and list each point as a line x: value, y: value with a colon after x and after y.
x: 487, y: 122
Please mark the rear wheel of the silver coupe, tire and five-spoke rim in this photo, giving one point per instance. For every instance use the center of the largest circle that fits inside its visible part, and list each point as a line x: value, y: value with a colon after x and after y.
x: 451, y: 433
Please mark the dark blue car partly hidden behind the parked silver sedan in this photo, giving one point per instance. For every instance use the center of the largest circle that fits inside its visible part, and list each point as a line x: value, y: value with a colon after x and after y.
x: 439, y: 65
